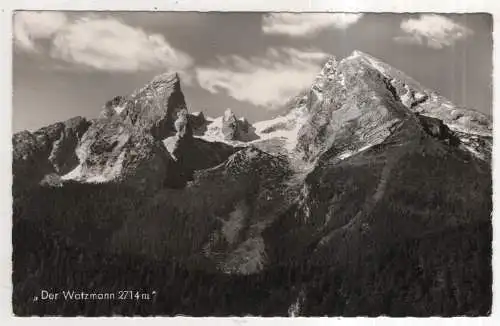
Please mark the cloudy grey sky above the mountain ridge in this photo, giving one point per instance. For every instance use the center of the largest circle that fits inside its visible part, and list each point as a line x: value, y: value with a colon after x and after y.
x: 68, y: 64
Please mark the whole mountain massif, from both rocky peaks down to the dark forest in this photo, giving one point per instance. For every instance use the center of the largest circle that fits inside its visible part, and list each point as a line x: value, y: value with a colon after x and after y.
x: 371, y: 195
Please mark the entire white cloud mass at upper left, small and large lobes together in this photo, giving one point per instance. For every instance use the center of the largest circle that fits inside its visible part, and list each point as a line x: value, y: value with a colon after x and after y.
x: 101, y: 43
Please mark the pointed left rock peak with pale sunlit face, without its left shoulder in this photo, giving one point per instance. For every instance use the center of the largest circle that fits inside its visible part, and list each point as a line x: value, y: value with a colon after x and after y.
x: 125, y: 143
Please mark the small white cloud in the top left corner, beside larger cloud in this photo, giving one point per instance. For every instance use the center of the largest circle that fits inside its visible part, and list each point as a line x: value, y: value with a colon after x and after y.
x: 30, y: 26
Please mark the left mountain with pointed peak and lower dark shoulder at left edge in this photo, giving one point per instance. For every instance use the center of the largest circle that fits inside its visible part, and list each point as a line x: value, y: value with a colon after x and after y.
x: 125, y: 144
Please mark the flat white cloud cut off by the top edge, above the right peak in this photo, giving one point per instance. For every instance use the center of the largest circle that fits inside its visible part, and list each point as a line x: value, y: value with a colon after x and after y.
x: 305, y: 24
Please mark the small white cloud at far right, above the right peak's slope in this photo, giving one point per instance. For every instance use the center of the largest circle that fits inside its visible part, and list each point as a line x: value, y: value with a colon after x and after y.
x: 435, y: 31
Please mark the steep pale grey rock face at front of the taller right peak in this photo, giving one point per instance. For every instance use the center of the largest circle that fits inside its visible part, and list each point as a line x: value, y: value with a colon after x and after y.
x: 349, y: 110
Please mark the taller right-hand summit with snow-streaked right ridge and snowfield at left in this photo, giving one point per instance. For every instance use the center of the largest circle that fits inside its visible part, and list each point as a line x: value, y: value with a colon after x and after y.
x: 363, y: 91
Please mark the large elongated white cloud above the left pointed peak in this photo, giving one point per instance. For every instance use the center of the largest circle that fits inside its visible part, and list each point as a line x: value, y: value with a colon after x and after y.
x: 108, y: 44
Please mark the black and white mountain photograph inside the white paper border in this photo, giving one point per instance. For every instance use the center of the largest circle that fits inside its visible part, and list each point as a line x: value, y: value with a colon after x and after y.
x: 266, y: 164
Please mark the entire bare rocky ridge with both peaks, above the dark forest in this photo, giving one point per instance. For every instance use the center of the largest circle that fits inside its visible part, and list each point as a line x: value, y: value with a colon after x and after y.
x: 352, y: 104
